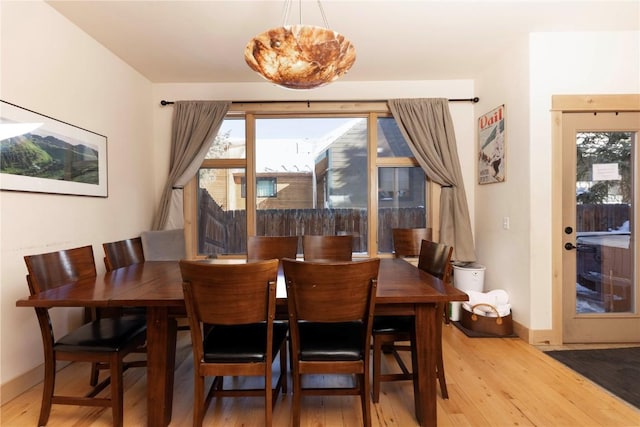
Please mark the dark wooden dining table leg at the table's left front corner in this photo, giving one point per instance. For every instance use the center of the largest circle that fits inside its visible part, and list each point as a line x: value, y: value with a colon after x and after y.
x: 161, y: 355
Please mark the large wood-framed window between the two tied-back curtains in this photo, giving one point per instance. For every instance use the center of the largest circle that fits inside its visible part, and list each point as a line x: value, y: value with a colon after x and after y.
x: 295, y: 173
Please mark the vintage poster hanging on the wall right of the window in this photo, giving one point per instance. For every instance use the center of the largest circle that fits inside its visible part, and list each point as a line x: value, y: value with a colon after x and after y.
x: 491, y: 146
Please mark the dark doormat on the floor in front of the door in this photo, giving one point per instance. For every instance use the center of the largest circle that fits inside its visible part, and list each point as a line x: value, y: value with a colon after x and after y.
x: 615, y: 369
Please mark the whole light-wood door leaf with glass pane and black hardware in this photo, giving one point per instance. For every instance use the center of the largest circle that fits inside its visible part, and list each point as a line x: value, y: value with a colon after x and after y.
x: 600, y: 217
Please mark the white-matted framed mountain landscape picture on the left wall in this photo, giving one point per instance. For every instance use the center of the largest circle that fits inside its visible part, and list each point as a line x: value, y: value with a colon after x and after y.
x: 41, y: 154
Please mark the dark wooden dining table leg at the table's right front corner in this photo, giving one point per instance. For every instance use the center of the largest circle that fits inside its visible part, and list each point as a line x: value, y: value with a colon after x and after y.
x: 425, y: 377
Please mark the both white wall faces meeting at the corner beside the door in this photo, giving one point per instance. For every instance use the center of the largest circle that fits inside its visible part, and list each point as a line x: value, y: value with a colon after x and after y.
x: 524, y: 79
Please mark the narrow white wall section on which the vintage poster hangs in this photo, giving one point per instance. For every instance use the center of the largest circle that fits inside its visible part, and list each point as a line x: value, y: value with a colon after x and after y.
x: 505, y: 252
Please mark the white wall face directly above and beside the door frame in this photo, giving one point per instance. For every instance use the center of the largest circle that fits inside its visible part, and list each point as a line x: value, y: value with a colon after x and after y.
x: 564, y: 64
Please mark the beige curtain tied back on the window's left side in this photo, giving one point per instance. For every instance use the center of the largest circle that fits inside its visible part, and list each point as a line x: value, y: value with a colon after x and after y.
x: 195, y: 124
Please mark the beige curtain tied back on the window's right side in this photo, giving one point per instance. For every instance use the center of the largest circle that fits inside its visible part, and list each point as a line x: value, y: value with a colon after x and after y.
x: 426, y: 124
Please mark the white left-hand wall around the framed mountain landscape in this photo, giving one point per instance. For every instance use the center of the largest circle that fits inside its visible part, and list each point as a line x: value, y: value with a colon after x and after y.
x: 50, y: 66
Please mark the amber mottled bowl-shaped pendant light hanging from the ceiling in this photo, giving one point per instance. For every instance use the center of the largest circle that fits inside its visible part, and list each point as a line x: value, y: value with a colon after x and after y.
x: 300, y: 56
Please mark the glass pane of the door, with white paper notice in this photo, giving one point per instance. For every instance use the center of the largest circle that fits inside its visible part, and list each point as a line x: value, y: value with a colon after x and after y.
x: 604, y: 218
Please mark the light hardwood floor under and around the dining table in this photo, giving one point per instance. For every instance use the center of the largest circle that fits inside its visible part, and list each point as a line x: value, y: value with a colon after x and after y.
x: 492, y: 382
